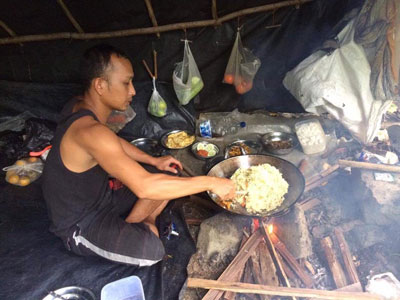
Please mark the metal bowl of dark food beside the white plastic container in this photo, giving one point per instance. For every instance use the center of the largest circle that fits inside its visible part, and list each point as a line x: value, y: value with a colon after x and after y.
x: 279, y: 143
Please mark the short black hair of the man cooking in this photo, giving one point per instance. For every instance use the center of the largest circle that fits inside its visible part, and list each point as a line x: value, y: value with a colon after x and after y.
x: 95, y: 62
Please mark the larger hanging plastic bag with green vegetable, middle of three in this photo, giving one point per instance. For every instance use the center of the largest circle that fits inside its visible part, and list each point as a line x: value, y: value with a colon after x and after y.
x: 186, y: 77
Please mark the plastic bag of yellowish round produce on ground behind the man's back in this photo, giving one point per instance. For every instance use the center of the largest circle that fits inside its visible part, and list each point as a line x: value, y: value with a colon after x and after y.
x: 24, y: 171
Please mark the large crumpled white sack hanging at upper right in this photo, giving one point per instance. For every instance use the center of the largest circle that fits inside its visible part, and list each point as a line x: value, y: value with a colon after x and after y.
x: 338, y: 83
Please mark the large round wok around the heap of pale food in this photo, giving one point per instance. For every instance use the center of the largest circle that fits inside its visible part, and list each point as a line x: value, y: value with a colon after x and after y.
x: 290, y: 173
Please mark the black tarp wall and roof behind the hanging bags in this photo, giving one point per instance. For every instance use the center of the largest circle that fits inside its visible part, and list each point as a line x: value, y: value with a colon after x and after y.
x: 280, y: 49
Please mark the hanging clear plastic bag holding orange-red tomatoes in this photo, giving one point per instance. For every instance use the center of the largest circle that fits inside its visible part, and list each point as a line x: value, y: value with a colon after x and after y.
x: 242, y: 67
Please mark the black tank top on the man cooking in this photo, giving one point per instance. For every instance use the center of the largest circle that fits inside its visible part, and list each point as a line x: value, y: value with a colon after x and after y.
x: 71, y: 196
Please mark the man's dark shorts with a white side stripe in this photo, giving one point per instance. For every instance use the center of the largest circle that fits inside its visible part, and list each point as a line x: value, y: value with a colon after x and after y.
x: 105, y: 233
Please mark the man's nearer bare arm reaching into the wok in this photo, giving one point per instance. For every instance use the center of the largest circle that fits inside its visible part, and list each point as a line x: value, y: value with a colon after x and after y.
x: 105, y: 147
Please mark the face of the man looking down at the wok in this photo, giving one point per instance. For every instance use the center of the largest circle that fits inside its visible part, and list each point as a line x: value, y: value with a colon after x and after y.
x: 118, y: 95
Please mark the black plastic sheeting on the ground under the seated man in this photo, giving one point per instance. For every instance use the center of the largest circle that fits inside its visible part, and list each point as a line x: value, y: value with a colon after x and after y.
x: 34, y: 261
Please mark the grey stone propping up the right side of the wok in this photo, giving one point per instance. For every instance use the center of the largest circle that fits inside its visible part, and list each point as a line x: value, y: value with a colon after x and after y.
x: 293, y: 232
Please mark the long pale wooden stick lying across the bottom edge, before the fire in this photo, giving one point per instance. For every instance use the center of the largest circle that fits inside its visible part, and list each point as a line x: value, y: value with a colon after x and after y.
x: 240, y: 287
